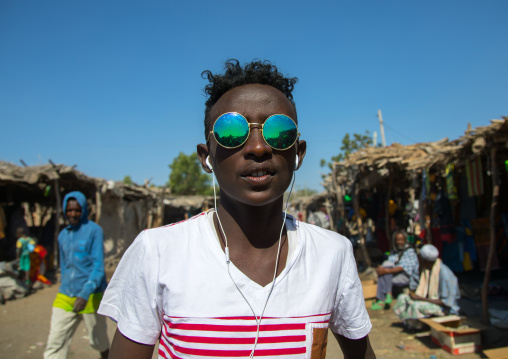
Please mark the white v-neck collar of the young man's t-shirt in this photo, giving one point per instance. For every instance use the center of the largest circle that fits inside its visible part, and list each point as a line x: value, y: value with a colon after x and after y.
x: 241, y: 279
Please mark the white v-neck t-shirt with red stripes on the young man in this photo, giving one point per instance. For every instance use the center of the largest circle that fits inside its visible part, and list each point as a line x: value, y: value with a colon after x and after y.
x: 173, y: 282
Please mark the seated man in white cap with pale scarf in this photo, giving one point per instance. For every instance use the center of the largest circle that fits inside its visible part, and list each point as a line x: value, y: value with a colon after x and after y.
x: 437, y: 292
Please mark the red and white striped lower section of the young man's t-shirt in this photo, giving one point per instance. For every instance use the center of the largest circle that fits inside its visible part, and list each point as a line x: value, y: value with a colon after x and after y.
x: 235, y: 336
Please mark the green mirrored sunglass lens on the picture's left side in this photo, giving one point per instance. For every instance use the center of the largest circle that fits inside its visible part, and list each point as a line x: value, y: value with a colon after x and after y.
x: 231, y: 130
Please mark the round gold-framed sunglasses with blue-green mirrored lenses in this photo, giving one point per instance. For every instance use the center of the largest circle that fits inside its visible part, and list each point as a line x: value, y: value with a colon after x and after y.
x: 231, y: 130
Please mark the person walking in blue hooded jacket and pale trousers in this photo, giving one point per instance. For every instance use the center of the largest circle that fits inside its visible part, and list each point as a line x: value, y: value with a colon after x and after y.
x: 83, y: 281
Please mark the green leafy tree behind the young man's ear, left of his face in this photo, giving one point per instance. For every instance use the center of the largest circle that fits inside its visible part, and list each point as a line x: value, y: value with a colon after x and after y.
x: 187, y: 176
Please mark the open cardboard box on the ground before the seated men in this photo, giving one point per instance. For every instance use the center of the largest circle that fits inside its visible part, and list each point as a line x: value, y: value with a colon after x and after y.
x: 452, y: 335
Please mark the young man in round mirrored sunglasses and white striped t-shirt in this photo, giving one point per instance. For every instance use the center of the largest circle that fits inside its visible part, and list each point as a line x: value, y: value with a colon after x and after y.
x: 243, y: 279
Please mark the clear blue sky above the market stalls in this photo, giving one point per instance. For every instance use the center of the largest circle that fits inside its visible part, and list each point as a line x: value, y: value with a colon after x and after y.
x: 115, y: 87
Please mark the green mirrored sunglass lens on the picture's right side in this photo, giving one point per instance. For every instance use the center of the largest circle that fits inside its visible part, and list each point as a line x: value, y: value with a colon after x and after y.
x: 280, y: 132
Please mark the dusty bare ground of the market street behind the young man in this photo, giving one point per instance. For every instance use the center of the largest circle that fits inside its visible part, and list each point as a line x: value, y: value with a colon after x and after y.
x: 24, y: 327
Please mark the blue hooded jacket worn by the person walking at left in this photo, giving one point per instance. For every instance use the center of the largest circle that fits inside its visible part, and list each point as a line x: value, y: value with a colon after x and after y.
x: 81, y: 254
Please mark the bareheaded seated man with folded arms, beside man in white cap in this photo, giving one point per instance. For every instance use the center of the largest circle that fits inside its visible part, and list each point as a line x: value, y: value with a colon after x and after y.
x: 400, y: 269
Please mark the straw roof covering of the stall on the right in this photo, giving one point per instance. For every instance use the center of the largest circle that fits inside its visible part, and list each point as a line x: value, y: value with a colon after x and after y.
x: 379, y: 162
